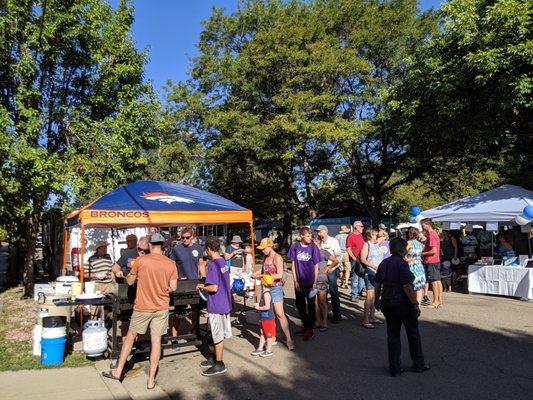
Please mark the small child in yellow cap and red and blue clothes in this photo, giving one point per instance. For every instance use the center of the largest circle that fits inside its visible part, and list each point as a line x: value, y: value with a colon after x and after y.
x: 267, y: 319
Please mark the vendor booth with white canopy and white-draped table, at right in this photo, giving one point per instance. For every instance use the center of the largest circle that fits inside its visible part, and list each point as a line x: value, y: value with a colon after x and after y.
x: 493, y: 209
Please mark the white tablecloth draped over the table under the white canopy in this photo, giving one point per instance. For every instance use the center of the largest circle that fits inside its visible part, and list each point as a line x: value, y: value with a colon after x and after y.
x: 504, y: 281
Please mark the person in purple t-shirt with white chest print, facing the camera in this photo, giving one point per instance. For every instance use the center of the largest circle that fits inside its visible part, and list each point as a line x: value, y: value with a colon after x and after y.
x: 305, y: 257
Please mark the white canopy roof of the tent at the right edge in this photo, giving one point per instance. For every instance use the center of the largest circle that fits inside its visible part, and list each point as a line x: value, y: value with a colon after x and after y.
x: 502, y: 204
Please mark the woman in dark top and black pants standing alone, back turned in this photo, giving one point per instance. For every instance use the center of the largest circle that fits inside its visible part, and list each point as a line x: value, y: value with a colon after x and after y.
x: 396, y: 297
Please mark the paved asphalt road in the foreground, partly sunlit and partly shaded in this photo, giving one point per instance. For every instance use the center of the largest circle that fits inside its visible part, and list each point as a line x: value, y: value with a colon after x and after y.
x: 479, y: 347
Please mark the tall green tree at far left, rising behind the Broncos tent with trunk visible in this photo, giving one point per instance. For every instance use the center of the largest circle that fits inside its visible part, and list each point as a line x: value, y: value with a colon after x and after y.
x: 75, y: 113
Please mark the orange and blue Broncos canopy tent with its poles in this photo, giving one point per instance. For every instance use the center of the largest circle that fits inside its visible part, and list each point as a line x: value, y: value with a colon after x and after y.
x: 154, y: 203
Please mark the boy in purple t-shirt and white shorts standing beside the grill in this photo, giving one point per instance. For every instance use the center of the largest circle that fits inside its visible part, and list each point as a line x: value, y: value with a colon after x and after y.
x: 219, y: 305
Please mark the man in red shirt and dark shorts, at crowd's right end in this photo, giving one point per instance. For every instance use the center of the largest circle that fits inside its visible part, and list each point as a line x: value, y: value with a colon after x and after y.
x: 431, y: 255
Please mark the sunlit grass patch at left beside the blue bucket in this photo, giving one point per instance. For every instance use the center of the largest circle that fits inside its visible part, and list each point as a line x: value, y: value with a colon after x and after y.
x: 16, y: 325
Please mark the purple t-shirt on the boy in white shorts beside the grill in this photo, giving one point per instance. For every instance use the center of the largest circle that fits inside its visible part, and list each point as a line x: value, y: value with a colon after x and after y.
x: 218, y: 274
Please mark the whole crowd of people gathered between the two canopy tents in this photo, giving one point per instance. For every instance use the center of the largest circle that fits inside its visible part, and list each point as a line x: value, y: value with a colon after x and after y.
x: 321, y: 263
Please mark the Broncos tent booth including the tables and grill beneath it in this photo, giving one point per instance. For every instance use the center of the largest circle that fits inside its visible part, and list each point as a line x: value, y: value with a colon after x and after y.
x: 143, y: 205
